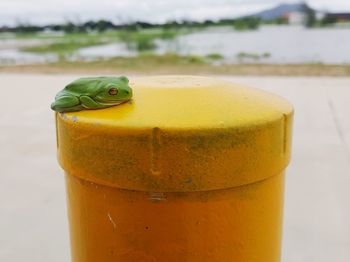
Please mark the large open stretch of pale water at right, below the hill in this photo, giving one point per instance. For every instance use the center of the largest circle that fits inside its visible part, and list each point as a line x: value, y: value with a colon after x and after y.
x: 284, y: 44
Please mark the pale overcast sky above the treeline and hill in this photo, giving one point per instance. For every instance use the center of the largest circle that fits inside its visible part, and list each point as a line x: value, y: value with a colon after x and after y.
x: 51, y: 11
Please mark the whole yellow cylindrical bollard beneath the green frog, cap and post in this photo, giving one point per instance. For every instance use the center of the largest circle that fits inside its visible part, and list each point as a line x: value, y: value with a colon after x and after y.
x: 191, y: 170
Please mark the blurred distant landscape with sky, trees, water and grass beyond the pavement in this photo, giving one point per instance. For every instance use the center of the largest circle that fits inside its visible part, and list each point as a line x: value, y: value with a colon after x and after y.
x: 223, y: 36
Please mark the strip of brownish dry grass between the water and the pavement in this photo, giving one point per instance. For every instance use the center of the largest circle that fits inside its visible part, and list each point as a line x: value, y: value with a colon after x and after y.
x: 144, y: 67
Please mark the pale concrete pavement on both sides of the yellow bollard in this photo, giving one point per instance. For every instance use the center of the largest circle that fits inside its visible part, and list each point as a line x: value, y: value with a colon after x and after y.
x: 33, y: 219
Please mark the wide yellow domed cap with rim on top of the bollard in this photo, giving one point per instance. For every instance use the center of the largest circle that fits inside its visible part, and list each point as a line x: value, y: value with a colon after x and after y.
x: 179, y: 133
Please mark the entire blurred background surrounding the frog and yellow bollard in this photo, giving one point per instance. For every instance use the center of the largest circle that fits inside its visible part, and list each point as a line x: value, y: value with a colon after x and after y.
x: 299, y: 50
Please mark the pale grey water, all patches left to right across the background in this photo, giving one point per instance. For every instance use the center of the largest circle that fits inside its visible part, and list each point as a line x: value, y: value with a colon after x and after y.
x: 268, y: 44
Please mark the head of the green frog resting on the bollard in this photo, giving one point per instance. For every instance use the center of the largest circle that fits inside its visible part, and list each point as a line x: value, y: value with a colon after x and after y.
x: 113, y: 91
